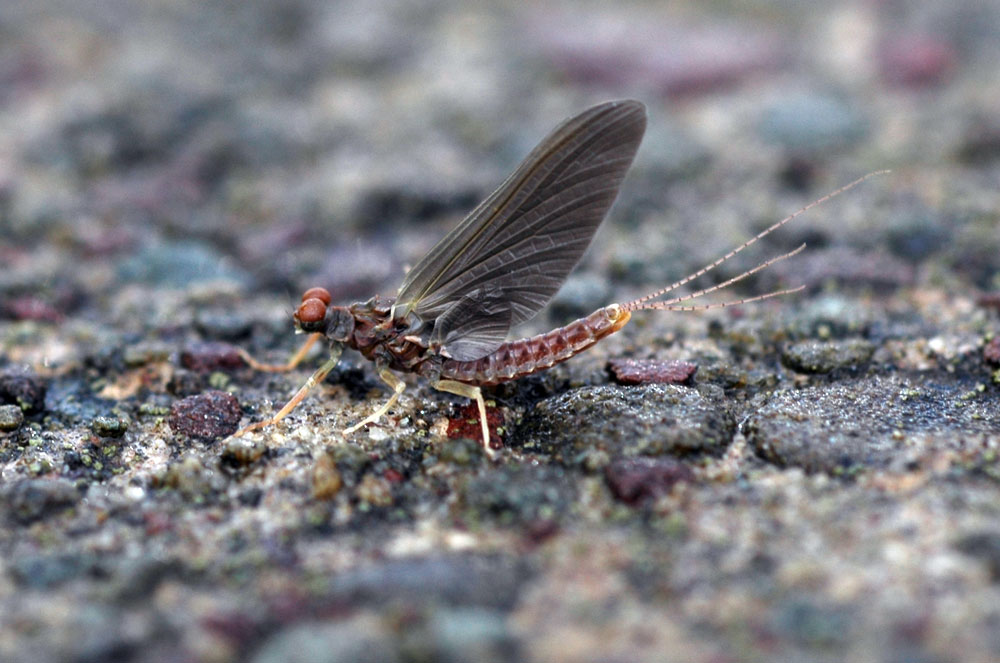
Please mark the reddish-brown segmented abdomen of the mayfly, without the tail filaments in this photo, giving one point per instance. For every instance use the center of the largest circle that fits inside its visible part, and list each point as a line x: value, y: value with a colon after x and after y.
x: 525, y: 356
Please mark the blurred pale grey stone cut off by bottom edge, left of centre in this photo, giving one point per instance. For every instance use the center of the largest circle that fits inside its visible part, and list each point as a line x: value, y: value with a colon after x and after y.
x: 361, y: 638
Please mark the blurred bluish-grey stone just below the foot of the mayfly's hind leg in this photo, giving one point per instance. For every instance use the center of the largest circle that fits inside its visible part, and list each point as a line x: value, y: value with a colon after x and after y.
x: 519, y: 495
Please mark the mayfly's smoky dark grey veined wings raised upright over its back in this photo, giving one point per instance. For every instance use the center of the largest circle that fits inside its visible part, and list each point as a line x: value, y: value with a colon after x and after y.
x: 519, y: 245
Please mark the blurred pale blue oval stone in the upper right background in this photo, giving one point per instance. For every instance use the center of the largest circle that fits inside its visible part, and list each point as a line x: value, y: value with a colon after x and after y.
x: 809, y: 123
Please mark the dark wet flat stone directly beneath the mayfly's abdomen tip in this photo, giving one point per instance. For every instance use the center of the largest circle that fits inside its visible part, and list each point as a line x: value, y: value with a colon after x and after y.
x: 626, y: 421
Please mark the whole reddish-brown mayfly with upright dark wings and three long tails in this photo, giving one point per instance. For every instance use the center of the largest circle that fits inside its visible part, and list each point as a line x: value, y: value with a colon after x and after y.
x: 450, y: 319
